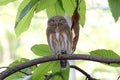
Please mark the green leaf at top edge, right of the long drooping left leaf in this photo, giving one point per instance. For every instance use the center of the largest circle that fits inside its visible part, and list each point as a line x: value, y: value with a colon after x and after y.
x: 44, y: 4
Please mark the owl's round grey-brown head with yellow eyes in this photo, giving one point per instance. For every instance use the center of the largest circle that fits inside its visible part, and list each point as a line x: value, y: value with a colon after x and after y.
x: 57, y: 21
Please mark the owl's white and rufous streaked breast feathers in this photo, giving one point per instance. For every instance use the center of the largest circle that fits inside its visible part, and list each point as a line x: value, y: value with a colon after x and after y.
x: 60, y: 41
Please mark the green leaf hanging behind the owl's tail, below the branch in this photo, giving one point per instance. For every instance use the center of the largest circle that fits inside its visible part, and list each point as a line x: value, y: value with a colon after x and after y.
x: 60, y: 74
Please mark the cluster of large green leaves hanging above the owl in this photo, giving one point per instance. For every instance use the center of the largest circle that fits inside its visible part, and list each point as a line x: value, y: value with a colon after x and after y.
x: 53, y: 7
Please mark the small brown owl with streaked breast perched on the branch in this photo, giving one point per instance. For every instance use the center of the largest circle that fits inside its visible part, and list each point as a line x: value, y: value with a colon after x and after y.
x: 59, y: 37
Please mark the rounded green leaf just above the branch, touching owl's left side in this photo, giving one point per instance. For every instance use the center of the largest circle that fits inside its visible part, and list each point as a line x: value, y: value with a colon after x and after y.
x: 41, y: 50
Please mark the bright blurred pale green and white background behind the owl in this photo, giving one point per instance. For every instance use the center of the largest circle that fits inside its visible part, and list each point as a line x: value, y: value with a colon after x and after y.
x: 100, y: 32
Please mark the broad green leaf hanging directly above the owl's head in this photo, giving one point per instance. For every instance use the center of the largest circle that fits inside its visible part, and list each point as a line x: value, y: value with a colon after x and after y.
x: 55, y: 9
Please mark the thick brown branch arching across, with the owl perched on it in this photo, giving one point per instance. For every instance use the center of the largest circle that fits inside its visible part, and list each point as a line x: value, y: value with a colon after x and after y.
x: 16, y: 68
